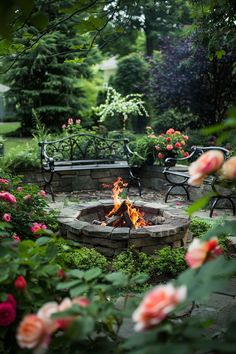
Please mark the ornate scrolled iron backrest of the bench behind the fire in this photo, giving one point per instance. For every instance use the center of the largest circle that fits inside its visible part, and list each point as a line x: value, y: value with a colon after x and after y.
x: 84, y: 146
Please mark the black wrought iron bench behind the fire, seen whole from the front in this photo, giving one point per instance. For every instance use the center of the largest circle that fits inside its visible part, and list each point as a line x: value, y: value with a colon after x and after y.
x: 83, y: 151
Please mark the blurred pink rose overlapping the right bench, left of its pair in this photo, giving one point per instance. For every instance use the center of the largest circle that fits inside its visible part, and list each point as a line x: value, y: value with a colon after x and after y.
x: 206, y: 164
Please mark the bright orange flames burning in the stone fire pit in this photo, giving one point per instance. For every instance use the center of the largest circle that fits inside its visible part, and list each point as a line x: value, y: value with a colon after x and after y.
x: 135, y: 215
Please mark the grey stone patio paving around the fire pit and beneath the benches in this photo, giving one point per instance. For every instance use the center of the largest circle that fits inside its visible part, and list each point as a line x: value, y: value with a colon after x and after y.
x: 220, y: 304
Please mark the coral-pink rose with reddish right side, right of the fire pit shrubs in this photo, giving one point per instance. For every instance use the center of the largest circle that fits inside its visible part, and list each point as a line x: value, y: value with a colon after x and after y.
x: 201, y: 251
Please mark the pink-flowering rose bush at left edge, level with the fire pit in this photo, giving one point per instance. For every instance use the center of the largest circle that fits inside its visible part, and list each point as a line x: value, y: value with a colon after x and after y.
x: 22, y: 208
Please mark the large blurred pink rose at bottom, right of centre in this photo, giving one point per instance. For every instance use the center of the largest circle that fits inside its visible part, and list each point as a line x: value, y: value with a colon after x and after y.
x: 157, y: 304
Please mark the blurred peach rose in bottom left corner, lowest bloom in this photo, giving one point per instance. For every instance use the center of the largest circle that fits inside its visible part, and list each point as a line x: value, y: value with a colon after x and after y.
x: 32, y: 333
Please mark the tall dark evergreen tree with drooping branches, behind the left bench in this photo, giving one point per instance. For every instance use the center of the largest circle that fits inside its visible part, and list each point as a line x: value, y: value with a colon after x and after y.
x: 45, y: 79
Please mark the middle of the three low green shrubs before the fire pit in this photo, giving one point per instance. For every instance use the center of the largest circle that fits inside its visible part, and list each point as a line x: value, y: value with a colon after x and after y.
x: 132, y: 262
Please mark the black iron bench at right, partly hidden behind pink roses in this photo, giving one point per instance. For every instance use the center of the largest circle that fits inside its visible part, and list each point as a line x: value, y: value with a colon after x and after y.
x: 178, y: 176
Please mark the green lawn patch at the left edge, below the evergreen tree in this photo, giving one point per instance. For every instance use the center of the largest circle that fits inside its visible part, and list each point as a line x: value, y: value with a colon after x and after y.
x: 10, y: 127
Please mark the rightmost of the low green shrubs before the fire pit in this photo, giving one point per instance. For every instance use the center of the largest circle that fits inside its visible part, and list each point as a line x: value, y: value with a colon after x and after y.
x: 169, y: 262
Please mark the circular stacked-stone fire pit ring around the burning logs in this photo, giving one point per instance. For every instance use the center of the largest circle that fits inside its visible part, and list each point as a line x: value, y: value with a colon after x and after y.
x: 77, y: 225
